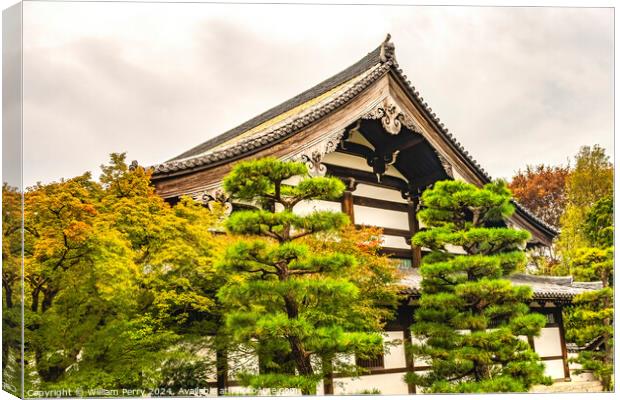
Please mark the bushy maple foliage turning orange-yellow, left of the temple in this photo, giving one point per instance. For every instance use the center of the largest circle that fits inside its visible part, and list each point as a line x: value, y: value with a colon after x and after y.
x: 117, y: 282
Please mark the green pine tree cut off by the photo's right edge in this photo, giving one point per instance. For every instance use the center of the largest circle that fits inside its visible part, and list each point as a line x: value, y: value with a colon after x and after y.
x: 589, y: 321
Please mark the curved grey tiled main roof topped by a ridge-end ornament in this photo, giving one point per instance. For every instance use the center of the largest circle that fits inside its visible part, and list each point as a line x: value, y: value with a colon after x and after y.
x: 224, y: 148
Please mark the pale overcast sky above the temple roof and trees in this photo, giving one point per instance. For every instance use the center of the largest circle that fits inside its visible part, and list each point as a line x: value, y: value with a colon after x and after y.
x: 516, y: 86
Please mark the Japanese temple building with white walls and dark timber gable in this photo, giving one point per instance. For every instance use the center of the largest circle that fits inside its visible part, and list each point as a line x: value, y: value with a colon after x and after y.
x: 368, y: 126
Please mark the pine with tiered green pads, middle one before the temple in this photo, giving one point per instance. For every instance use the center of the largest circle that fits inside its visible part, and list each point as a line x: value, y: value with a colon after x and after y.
x: 295, y: 307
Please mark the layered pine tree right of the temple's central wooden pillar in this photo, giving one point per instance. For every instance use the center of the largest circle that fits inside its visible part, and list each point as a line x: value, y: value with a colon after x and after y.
x: 471, y: 321
